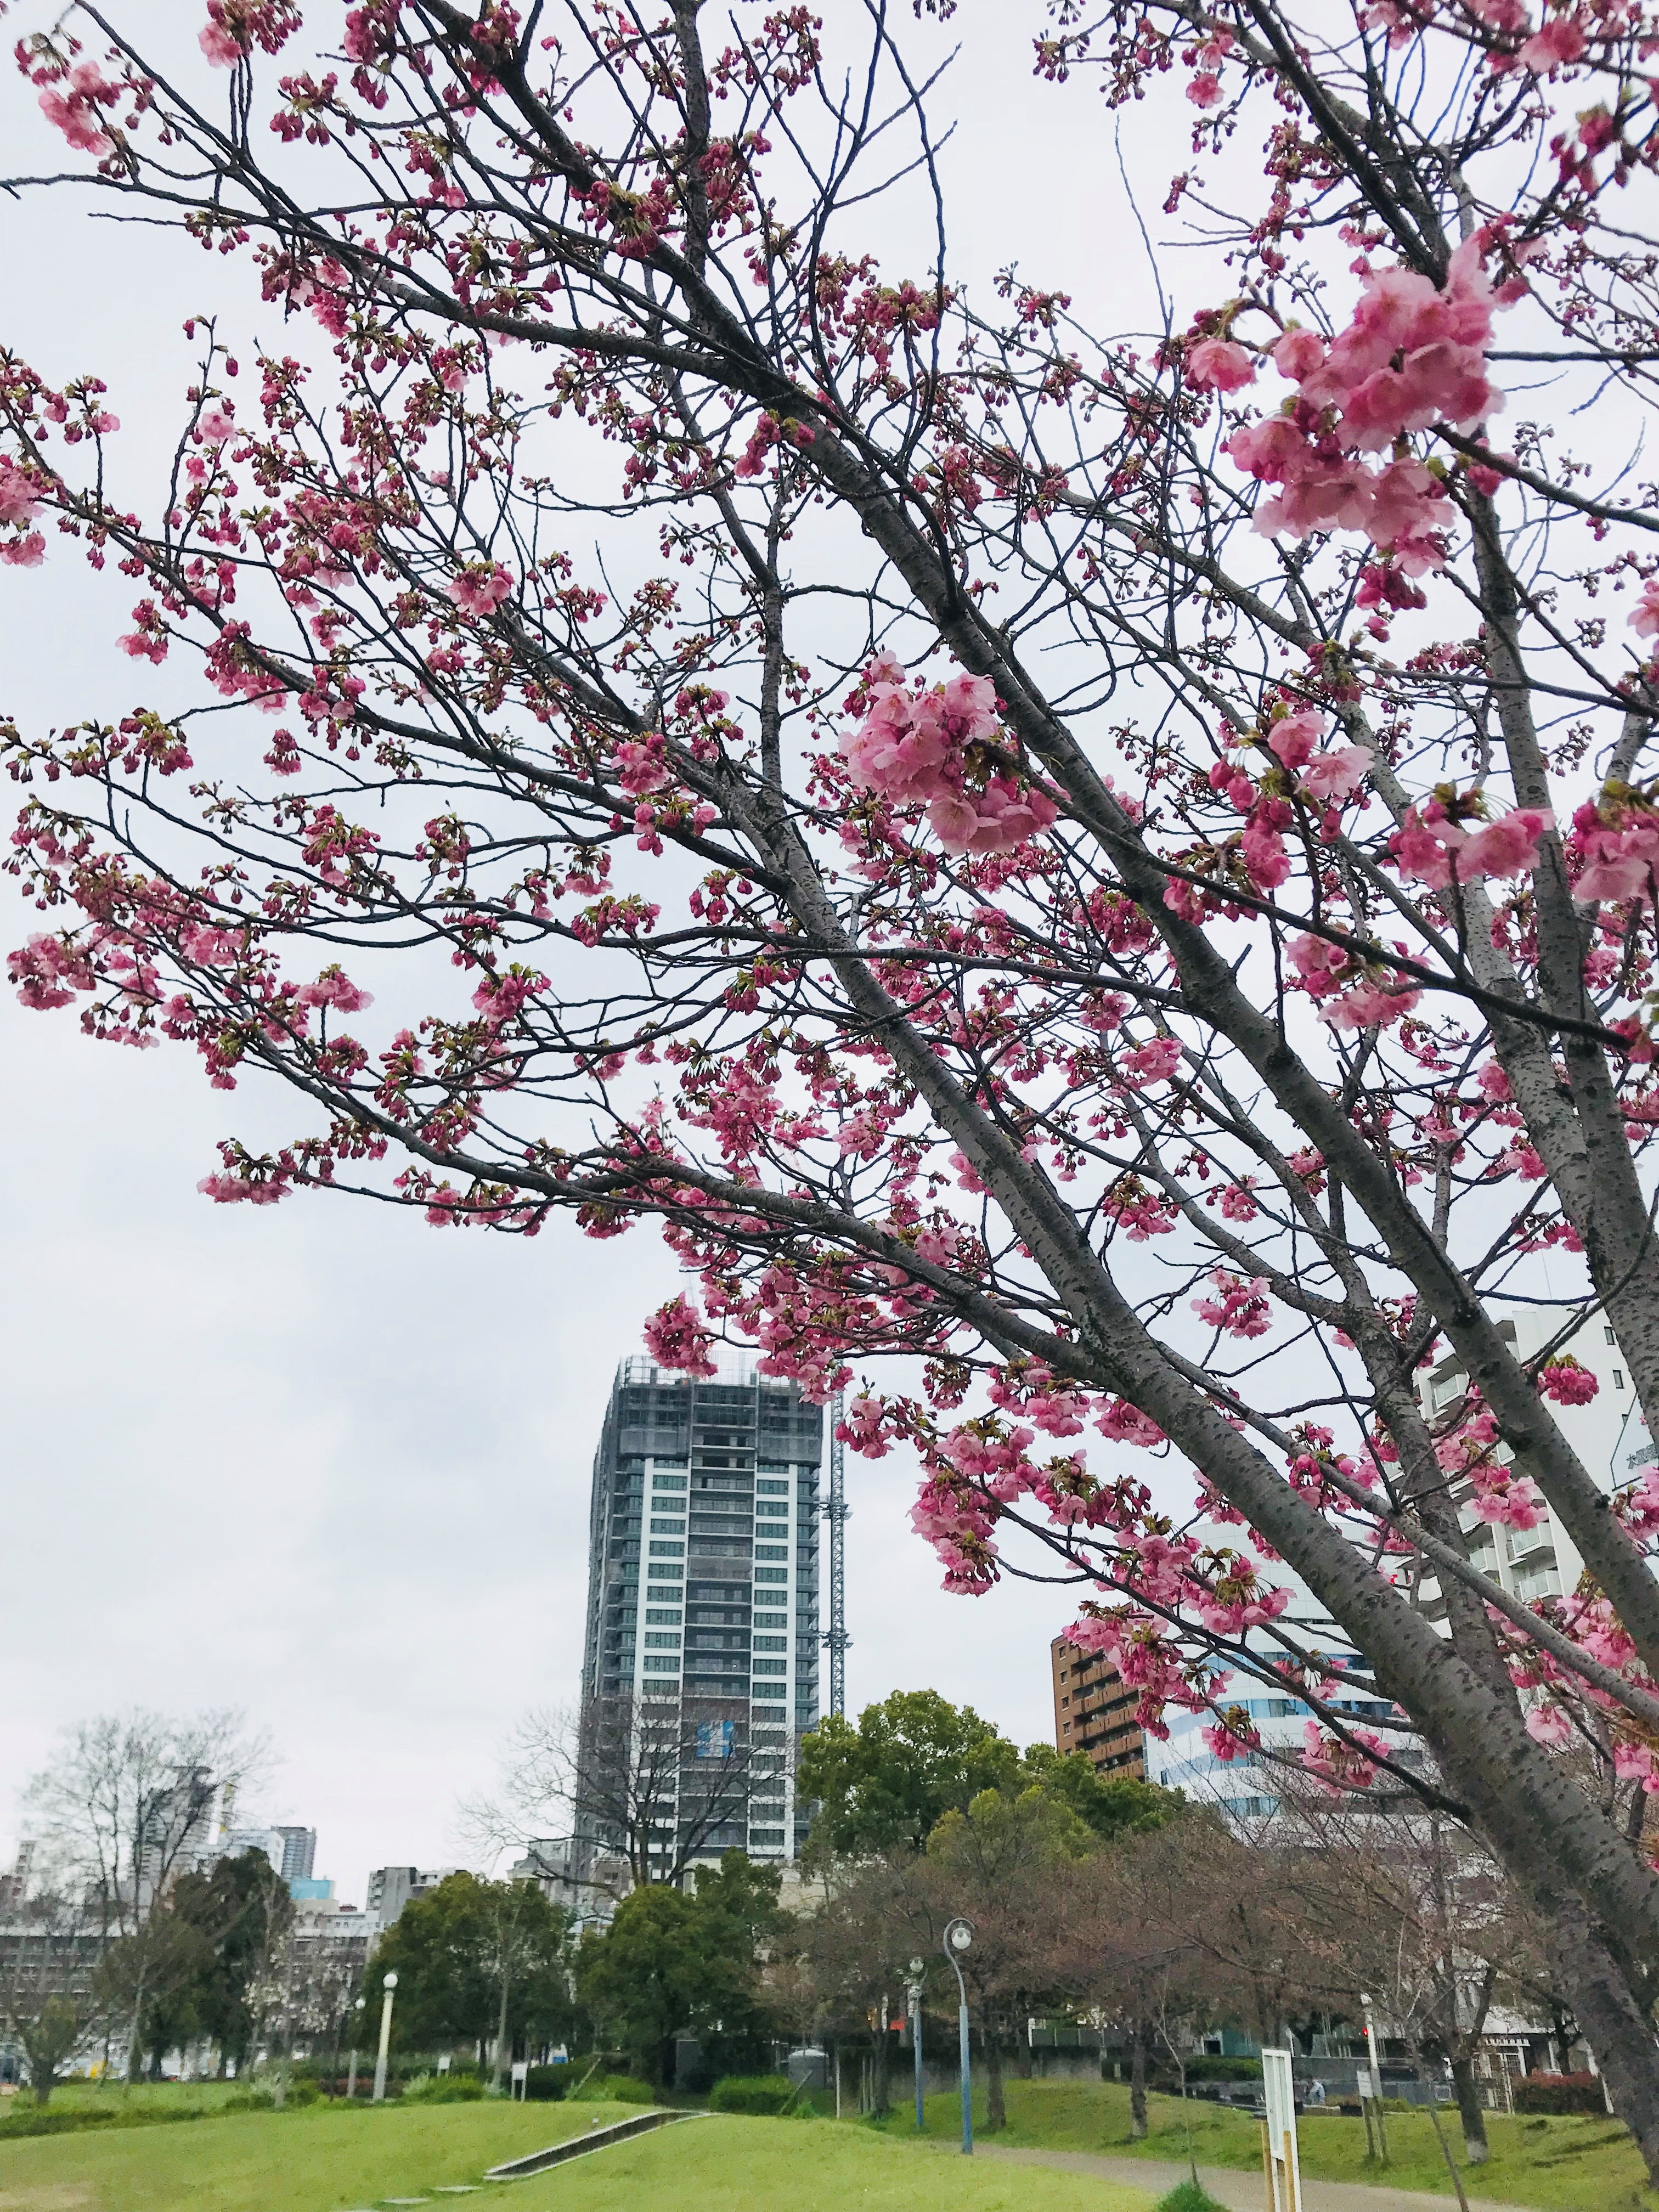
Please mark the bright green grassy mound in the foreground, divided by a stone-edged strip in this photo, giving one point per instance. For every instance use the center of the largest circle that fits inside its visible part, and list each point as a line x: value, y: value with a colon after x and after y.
x: 335, y: 2160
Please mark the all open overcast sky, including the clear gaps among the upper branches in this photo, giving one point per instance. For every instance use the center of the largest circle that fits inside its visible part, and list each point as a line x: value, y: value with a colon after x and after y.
x: 320, y: 1461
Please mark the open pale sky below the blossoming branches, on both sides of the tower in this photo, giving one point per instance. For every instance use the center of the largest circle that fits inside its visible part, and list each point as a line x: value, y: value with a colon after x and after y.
x: 351, y: 1523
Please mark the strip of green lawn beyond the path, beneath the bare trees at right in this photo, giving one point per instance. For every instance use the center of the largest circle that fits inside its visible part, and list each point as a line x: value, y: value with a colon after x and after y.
x: 1554, y: 2164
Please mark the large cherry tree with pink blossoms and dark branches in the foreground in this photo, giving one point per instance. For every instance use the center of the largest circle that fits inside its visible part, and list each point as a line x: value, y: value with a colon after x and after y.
x: 1112, y: 866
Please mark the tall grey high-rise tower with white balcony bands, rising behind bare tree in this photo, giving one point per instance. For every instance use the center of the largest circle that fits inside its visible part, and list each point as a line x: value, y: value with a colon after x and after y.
x: 713, y: 1490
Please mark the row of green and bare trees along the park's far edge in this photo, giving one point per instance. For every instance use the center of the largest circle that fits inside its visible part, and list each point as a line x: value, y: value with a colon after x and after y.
x: 1092, y: 1899
